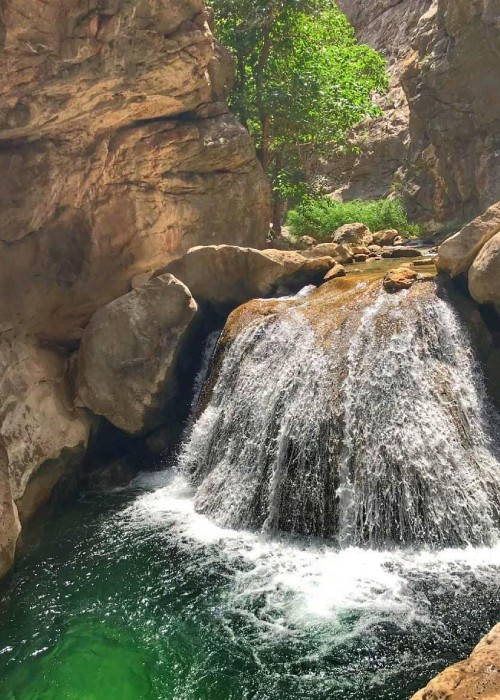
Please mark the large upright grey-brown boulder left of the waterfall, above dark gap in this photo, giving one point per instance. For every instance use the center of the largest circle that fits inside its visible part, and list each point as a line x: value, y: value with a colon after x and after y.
x: 129, y: 354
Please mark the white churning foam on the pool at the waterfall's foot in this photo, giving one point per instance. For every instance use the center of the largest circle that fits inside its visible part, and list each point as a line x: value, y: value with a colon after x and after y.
x: 305, y: 582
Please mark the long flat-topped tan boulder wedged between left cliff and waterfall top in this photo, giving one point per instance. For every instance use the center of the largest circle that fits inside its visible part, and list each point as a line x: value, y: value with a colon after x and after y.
x: 227, y: 276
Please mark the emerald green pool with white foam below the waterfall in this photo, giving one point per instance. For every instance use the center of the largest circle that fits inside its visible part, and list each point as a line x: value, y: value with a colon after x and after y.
x: 132, y: 596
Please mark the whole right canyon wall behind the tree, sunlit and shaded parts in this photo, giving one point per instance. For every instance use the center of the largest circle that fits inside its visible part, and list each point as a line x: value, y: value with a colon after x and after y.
x: 438, y: 141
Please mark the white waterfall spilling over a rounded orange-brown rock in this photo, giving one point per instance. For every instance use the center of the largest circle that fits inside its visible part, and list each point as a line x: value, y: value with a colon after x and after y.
x: 349, y: 414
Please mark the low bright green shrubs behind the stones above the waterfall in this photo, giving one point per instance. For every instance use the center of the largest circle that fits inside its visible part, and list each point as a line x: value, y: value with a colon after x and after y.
x: 322, y: 217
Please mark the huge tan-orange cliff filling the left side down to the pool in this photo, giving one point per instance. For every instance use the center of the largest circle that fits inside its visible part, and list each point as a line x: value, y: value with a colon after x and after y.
x: 117, y: 154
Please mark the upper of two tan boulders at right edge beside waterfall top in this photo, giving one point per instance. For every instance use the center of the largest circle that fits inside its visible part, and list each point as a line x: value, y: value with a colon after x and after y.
x: 457, y: 253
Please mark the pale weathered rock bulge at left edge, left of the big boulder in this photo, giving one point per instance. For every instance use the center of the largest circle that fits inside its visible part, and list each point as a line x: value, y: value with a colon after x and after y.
x: 39, y: 424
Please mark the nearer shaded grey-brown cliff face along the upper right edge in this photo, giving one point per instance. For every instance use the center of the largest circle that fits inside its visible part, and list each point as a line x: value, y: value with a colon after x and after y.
x: 455, y: 108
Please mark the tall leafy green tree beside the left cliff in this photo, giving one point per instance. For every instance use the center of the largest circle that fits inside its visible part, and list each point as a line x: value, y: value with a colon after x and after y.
x: 302, y: 80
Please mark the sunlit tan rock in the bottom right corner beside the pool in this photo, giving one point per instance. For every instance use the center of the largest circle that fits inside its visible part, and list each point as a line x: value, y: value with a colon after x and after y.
x: 476, y: 677
